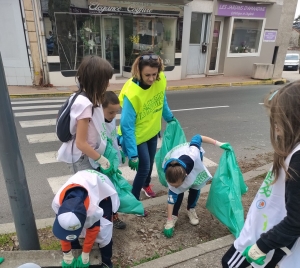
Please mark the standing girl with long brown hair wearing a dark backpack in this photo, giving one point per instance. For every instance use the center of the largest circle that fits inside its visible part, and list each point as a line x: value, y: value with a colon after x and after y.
x: 87, y: 119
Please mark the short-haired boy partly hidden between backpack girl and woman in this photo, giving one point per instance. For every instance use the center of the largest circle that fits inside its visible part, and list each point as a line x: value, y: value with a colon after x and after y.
x: 111, y: 106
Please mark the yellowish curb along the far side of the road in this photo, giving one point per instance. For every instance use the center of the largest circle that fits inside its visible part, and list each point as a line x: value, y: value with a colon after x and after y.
x: 169, y: 88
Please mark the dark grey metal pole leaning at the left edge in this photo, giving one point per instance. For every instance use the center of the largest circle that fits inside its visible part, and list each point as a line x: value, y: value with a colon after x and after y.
x: 14, y: 173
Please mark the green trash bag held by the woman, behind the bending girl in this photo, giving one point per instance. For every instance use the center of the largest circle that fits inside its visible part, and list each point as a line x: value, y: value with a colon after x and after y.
x: 172, y: 136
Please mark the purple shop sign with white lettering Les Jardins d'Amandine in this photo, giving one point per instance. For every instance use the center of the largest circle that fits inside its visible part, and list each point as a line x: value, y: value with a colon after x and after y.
x: 241, y: 10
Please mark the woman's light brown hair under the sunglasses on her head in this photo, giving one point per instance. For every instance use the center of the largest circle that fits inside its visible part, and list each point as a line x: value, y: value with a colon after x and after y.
x: 139, y: 64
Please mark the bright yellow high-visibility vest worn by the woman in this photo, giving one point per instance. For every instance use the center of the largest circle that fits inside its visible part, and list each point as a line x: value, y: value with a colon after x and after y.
x: 148, y: 106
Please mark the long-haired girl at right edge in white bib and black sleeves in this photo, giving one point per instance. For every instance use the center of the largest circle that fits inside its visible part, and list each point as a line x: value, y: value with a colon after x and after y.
x: 270, y: 236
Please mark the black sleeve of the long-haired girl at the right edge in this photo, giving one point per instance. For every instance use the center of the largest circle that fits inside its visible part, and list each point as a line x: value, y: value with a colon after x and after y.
x: 288, y: 230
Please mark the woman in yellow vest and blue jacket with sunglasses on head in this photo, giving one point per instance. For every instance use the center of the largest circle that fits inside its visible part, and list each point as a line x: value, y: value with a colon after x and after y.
x: 143, y: 100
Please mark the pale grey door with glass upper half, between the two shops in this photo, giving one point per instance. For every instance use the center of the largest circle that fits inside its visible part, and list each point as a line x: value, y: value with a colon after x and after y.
x: 198, y: 43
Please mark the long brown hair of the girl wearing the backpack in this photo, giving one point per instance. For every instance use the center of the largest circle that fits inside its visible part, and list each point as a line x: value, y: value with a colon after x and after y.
x: 93, y: 75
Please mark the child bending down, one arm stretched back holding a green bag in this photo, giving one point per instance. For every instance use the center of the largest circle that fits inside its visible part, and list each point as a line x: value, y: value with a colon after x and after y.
x: 184, y: 171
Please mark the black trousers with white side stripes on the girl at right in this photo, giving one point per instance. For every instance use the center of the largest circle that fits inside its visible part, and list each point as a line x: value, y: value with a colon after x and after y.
x: 235, y: 259
